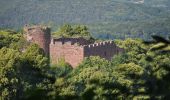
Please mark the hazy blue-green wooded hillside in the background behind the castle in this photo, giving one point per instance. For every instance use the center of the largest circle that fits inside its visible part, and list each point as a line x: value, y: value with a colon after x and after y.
x: 105, y: 18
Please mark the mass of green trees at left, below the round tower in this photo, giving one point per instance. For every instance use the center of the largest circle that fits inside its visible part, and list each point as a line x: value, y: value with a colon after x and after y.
x: 22, y: 69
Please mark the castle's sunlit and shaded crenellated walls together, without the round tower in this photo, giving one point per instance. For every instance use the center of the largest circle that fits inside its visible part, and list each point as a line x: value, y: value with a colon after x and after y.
x: 74, y: 53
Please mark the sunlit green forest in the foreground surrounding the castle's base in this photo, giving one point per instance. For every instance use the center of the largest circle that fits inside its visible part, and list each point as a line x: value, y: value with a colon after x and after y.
x: 142, y: 72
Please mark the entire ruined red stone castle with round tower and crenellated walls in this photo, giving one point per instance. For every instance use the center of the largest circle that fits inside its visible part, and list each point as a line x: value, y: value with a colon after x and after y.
x: 72, y: 50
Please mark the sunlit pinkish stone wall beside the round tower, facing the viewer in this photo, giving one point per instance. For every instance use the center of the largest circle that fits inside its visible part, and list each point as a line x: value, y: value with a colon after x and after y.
x: 72, y: 53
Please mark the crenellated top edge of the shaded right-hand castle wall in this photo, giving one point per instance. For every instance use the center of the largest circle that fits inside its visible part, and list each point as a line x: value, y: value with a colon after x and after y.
x: 100, y: 44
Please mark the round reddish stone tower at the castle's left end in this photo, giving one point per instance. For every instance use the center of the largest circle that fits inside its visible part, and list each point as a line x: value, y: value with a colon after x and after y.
x: 40, y: 35
